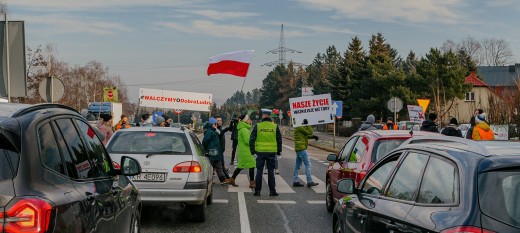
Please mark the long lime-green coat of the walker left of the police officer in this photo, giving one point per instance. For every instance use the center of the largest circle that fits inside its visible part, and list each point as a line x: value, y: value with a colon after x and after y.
x: 245, y: 158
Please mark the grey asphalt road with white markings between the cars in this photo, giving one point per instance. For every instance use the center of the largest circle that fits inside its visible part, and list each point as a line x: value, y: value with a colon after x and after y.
x: 235, y: 209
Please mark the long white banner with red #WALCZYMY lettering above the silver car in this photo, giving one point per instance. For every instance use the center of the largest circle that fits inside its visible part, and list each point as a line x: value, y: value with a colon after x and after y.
x: 175, y: 100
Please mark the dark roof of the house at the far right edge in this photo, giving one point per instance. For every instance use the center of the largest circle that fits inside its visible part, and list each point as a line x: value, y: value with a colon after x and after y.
x: 499, y: 75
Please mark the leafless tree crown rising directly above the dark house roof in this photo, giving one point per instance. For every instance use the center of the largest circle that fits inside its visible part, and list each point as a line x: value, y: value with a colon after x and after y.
x: 497, y: 52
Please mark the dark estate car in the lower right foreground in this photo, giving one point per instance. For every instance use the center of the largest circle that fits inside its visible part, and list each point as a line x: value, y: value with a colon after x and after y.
x: 436, y: 184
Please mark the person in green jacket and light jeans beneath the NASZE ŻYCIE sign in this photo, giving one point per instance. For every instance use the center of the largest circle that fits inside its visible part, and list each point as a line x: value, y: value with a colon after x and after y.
x: 302, y: 135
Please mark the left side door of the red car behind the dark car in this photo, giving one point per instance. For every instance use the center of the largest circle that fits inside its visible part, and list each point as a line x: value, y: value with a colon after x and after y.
x: 336, y: 170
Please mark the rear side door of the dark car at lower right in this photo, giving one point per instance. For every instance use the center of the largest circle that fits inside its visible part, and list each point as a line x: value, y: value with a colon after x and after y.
x: 389, y: 210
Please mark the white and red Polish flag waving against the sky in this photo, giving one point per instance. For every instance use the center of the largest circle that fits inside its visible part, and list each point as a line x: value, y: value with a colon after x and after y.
x: 233, y: 63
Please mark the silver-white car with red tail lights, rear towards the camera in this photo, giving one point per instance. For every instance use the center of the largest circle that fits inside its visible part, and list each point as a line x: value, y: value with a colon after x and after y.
x: 176, y: 171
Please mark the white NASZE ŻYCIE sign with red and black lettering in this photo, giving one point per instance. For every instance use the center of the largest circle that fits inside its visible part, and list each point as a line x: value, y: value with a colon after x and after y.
x: 317, y: 109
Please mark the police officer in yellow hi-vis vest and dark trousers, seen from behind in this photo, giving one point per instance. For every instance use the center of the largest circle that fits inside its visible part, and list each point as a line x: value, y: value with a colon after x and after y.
x: 266, y: 144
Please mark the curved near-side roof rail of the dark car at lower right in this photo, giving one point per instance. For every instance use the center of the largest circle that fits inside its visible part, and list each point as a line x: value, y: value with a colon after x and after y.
x: 472, y: 145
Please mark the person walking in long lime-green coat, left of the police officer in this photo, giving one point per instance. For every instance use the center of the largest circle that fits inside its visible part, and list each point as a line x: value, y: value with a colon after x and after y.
x: 245, y: 159
